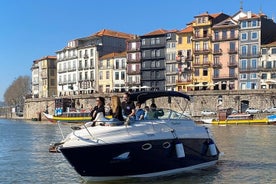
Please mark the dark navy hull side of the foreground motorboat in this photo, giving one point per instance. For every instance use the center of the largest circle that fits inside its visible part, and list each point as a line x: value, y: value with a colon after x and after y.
x: 136, y: 158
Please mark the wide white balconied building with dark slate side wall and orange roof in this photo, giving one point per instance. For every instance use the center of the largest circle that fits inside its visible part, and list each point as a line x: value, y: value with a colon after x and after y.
x: 83, y: 56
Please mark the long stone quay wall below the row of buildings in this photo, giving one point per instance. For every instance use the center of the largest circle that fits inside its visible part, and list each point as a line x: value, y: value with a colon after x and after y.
x: 201, y: 100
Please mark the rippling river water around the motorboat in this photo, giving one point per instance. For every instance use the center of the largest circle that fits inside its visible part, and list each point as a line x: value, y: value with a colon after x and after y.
x: 249, y: 156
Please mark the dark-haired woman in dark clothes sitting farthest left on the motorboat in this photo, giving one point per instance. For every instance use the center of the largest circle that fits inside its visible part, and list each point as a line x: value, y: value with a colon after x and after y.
x: 98, y: 110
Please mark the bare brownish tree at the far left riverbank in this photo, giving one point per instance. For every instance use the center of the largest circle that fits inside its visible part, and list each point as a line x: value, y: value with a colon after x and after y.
x: 16, y: 92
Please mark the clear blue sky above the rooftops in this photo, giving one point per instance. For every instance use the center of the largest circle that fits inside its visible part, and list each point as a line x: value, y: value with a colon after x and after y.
x: 32, y: 29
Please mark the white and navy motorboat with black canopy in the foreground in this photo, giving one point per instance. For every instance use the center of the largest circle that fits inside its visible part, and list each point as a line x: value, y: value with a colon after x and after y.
x: 168, y: 145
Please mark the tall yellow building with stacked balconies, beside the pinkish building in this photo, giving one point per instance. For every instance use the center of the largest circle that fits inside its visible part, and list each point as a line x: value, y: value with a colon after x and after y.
x: 202, y: 49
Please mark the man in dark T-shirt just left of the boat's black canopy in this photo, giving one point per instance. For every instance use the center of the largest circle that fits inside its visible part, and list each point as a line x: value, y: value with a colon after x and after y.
x: 128, y: 107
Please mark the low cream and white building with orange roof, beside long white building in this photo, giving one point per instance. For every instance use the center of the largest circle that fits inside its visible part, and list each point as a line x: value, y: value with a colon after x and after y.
x: 112, y: 72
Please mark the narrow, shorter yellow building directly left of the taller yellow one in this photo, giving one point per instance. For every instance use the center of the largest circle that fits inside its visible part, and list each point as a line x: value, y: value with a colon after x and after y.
x: 184, y: 58
